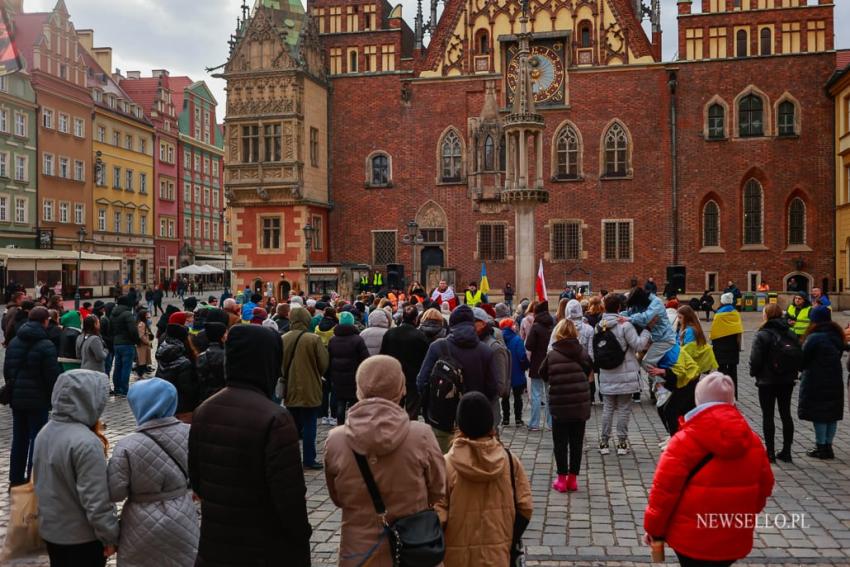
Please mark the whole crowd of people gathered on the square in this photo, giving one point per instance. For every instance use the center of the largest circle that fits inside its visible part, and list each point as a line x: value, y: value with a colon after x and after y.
x: 417, y: 387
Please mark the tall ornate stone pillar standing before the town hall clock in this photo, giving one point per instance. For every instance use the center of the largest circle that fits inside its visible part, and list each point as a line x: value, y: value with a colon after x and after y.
x: 524, y: 125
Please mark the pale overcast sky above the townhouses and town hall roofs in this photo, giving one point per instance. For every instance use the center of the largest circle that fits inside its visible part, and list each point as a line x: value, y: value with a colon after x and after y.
x: 187, y: 36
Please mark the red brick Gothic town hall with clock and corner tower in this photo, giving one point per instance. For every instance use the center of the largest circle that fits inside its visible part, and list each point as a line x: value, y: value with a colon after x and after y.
x: 620, y: 166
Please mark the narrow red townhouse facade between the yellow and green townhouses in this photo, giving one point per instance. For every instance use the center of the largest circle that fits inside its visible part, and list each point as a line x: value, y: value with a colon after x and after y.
x: 155, y: 96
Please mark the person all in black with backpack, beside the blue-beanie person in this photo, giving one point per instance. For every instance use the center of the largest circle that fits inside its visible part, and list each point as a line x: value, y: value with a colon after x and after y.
x: 775, y: 385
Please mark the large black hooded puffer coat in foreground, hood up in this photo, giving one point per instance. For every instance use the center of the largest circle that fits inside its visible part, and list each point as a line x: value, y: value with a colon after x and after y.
x: 245, y: 463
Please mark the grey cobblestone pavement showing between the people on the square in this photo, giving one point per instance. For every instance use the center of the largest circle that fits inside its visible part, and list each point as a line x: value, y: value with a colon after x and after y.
x: 602, y: 523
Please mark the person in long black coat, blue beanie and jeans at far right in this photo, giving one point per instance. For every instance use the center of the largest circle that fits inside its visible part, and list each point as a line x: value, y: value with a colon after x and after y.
x: 821, y: 383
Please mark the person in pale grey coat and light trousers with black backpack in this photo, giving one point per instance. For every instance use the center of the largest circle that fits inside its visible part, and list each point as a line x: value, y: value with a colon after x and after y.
x: 618, y: 384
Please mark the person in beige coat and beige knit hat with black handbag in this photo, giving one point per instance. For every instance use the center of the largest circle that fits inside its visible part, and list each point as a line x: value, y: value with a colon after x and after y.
x: 403, y: 456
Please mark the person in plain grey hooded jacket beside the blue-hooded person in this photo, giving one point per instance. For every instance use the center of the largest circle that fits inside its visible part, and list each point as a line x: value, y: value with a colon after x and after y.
x: 77, y: 520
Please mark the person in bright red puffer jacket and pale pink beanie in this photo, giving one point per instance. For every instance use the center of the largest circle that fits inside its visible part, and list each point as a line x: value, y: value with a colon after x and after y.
x: 711, y: 482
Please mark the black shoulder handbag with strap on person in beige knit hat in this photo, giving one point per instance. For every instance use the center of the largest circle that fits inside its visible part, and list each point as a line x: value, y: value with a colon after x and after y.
x: 415, y: 540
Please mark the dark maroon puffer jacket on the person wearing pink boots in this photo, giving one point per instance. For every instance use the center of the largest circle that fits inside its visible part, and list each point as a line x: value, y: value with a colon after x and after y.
x: 566, y: 369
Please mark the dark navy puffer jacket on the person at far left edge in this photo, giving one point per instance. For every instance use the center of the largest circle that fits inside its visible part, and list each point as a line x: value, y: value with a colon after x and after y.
x: 32, y: 365
